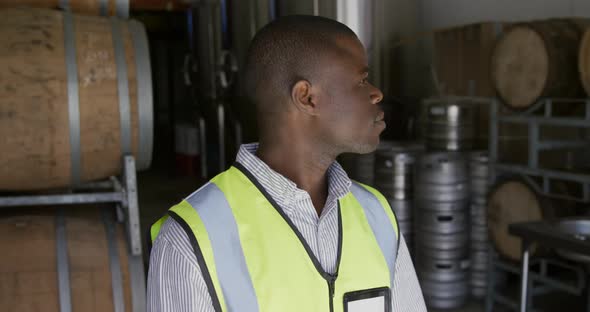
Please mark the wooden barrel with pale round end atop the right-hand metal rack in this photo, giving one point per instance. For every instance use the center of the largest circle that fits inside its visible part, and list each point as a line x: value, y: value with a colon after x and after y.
x: 537, y: 59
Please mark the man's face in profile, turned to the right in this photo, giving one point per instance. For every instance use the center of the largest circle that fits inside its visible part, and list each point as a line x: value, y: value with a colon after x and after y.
x: 350, y: 119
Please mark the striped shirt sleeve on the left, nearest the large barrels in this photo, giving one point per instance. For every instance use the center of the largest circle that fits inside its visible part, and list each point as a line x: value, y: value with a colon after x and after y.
x: 175, y: 282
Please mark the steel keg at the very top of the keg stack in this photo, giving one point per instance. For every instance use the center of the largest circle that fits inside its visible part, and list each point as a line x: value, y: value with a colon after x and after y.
x: 450, y: 126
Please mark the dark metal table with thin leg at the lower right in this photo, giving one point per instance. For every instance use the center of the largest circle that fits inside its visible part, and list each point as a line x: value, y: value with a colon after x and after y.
x: 547, y: 234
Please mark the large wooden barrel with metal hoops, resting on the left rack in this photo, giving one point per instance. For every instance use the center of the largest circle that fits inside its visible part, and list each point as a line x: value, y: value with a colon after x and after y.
x: 76, y: 96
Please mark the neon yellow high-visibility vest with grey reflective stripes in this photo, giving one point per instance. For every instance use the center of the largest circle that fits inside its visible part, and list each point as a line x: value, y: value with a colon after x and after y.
x: 257, y: 261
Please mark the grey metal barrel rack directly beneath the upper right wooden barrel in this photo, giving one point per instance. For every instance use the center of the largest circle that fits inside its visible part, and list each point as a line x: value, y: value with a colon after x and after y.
x: 540, y: 115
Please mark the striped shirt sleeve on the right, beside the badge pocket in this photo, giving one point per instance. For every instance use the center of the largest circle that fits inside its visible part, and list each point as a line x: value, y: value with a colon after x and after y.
x: 406, y: 295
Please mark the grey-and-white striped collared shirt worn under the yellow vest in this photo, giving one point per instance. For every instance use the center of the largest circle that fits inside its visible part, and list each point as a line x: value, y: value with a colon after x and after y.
x: 175, y: 282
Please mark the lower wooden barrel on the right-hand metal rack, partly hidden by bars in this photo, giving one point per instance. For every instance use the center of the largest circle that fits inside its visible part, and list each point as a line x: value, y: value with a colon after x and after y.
x: 512, y: 201
